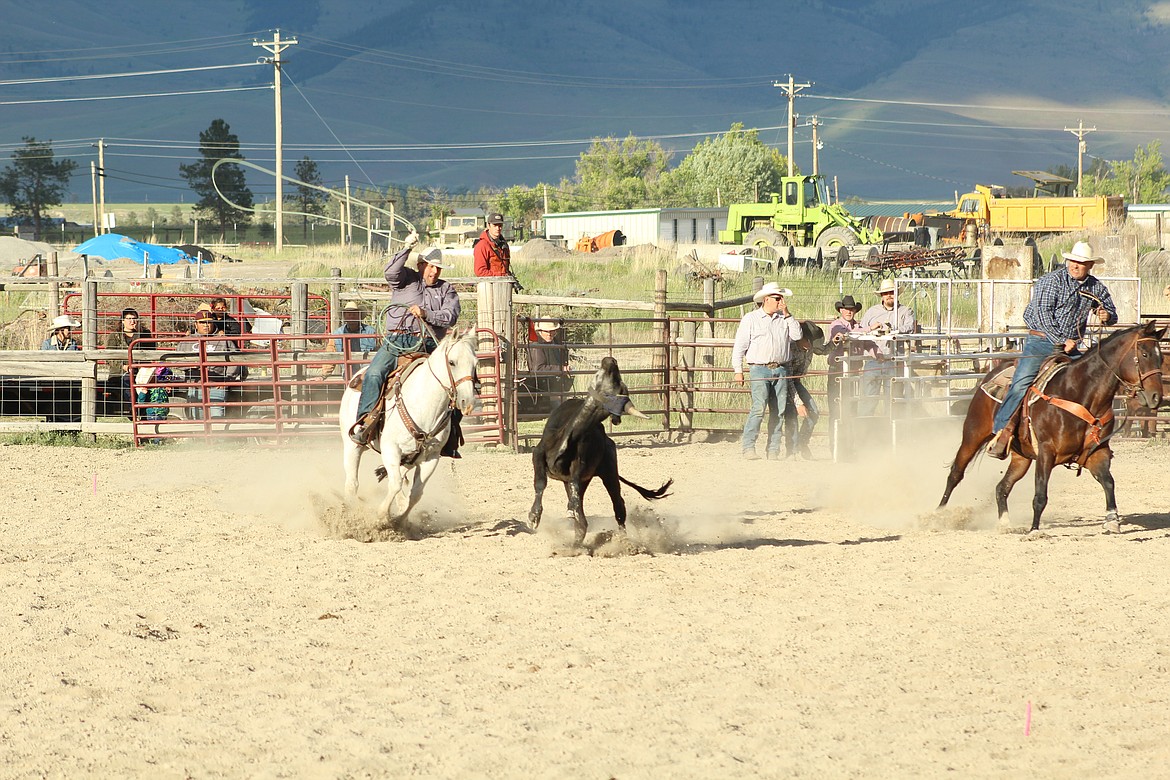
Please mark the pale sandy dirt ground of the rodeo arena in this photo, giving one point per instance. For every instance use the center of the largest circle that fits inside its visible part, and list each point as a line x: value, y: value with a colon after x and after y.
x: 218, y: 612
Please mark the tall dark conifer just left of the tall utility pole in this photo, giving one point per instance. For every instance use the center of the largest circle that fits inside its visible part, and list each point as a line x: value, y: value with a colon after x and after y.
x: 217, y: 143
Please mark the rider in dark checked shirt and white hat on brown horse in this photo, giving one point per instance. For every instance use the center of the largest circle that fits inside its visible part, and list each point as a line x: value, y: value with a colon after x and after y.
x: 1063, y: 303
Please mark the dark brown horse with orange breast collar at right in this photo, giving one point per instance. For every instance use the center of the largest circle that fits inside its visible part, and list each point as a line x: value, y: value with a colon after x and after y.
x: 1070, y: 422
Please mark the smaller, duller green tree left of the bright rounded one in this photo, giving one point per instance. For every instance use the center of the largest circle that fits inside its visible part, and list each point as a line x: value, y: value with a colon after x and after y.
x: 624, y: 174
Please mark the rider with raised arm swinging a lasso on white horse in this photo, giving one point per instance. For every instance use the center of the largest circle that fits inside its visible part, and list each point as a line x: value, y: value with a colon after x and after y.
x: 422, y: 305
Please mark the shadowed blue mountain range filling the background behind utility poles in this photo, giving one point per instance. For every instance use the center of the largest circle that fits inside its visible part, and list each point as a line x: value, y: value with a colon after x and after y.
x: 914, y: 99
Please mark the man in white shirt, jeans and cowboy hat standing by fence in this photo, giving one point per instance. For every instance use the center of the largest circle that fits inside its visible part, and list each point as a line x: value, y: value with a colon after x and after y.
x: 763, y: 343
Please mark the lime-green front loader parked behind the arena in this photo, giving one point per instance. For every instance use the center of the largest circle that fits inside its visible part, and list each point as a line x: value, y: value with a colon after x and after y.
x: 797, y: 217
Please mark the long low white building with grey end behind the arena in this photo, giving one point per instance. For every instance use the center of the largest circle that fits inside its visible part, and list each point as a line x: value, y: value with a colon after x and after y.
x: 653, y: 226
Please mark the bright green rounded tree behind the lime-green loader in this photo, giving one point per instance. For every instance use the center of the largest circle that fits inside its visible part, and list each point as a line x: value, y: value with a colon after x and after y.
x: 735, y: 168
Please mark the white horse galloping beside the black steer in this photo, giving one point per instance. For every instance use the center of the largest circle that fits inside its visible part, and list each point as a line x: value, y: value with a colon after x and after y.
x: 417, y: 422
